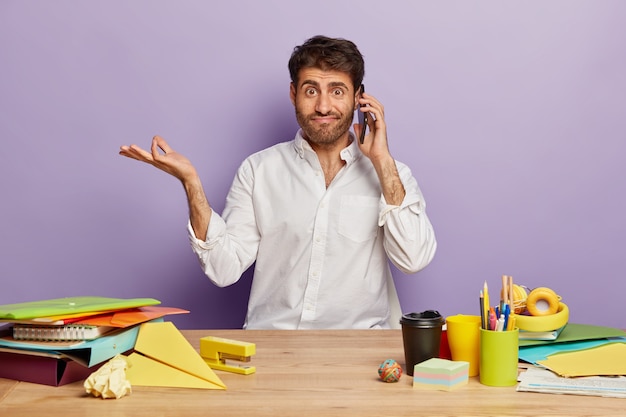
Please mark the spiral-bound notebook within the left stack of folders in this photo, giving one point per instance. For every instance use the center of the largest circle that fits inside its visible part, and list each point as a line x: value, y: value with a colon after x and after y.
x: 68, y: 332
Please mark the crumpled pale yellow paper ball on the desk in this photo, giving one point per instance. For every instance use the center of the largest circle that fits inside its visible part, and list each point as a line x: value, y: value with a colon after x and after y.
x: 110, y: 380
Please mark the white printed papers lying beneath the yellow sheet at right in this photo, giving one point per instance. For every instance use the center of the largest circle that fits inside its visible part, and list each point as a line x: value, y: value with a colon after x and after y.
x: 544, y: 381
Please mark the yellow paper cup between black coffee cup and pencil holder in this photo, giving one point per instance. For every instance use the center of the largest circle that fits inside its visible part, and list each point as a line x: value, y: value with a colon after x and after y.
x: 464, y: 340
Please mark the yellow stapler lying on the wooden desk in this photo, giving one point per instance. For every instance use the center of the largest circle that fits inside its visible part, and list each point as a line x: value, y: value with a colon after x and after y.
x: 216, y: 350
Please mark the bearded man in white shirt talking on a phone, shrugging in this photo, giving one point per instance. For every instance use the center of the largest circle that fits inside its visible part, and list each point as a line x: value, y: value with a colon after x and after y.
x: 320, y: 215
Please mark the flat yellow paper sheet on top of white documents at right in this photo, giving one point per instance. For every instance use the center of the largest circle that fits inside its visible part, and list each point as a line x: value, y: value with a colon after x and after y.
x: 605, y: 360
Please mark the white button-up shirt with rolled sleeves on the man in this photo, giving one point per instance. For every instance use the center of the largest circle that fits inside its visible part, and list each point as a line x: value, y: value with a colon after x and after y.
x: 321, y: 253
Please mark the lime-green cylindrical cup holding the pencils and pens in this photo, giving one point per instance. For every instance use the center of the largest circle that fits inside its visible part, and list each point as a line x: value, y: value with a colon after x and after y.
x: 499, y: 357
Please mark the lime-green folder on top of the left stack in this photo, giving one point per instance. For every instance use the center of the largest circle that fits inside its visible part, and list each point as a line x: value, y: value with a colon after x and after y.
x: 69, y: 305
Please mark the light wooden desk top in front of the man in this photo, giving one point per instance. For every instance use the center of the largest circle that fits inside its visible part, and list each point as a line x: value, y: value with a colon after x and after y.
x: 304, y: 373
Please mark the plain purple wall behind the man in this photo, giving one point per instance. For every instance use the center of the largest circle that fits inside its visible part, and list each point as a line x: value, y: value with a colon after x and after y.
x: 511, y: 115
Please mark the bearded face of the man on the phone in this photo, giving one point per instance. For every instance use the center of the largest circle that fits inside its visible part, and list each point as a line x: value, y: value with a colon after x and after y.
x: 325, y: 104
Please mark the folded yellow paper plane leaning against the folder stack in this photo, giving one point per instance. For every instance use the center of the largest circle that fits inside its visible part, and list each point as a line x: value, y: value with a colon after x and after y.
x: 164, y: 358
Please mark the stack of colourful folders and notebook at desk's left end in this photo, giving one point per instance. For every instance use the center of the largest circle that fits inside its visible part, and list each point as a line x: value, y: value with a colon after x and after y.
x: 76, y: 335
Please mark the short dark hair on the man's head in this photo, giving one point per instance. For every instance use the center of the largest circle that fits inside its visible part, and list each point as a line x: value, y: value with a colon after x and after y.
x: 328, y: 54
